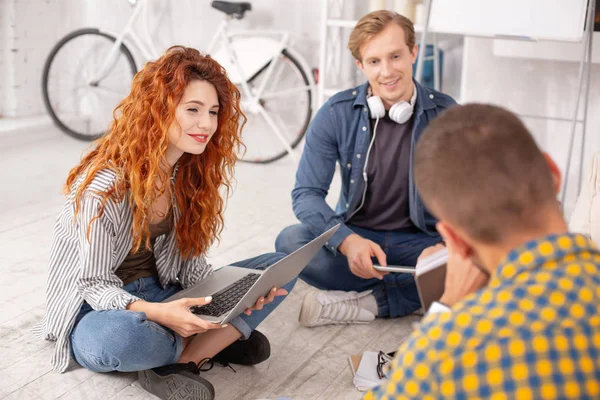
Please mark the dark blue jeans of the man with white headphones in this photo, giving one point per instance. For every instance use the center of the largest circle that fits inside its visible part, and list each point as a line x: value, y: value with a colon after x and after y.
x: 396, y: 295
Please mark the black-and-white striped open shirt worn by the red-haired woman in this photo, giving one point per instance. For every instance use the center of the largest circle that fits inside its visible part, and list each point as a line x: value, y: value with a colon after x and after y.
x: 82, y: 270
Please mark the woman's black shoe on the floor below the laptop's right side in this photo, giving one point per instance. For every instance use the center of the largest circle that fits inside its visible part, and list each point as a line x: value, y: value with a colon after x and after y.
x: 251, y: 351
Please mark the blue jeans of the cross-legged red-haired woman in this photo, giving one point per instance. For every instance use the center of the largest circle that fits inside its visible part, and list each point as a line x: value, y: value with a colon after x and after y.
x: 122, y: 340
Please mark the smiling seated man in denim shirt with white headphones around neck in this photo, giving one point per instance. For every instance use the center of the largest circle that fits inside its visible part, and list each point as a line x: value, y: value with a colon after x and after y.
x: 370, y: 131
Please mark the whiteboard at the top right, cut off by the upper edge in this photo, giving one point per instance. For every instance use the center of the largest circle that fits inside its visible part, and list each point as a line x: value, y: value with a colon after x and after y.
x: 561, y: 20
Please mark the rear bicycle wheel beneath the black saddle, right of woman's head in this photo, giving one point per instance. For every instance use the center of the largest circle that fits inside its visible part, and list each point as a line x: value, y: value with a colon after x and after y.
x: 287, y: 103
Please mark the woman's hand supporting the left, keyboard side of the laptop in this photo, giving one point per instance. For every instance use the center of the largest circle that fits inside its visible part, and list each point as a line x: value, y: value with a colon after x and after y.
x: 176, y: 315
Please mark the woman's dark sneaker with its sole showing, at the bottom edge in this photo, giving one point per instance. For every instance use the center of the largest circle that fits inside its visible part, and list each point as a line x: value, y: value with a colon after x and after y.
x: 176, y: 386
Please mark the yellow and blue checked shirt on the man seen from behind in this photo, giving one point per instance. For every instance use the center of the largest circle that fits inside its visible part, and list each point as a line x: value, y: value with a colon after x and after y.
x: 533, y: 333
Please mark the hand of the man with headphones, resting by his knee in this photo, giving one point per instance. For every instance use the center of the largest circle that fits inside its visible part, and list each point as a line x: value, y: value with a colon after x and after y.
x: 359, y: 251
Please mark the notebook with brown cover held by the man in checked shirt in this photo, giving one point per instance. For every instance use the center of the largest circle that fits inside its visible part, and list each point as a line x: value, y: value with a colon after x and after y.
x: 430, y: 277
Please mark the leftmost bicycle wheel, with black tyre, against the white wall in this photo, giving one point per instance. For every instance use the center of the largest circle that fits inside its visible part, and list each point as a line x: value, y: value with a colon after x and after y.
x: 81, y: 103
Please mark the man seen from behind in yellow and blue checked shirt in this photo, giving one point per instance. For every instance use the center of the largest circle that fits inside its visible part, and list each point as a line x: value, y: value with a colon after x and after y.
x: 534, y: 331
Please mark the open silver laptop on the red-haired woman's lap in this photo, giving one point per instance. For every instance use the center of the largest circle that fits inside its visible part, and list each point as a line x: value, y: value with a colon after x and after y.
x: 235, y: 289
